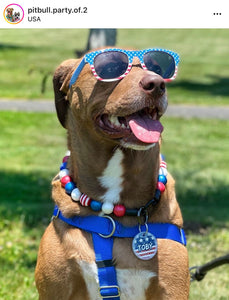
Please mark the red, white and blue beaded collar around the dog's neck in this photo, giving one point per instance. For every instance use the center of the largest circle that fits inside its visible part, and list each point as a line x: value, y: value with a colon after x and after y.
x: 107, y: 208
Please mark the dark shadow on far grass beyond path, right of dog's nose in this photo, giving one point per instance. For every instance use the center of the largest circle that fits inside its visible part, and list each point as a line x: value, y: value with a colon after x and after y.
x: 218, y: 87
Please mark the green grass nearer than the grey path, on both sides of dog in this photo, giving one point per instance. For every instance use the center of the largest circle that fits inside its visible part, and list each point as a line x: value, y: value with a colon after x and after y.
x: 197, y: 155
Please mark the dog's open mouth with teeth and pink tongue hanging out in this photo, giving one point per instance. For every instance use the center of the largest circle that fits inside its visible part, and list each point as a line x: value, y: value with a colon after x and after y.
x: 140, y: 127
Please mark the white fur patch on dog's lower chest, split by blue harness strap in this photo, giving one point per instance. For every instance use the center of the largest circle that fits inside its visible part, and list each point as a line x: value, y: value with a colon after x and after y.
x: 132, y: 283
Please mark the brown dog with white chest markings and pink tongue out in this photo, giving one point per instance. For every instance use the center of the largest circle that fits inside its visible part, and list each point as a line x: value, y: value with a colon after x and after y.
x: 111, y: 163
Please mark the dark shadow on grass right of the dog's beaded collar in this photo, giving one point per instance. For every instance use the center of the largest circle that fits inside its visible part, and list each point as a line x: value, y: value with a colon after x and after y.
x: 203, y: 204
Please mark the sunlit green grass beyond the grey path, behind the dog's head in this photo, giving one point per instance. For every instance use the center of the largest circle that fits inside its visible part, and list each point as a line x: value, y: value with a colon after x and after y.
x: 27, y: 55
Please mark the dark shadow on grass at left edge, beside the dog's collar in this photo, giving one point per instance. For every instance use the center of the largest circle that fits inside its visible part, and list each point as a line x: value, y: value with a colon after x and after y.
x: 27, y: 197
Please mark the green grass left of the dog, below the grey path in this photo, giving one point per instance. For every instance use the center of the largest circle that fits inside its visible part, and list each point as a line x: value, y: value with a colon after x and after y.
x: 29, y: 159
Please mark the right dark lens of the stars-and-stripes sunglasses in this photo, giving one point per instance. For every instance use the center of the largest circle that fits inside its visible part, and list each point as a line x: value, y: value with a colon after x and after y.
x: 161, y: 63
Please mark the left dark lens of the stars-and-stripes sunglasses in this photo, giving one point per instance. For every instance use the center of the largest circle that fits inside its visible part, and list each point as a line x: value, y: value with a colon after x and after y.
x: 111, y: 64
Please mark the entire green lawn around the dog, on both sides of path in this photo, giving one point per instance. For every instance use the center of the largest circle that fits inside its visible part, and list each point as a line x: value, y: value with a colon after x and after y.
x: 196, y: 150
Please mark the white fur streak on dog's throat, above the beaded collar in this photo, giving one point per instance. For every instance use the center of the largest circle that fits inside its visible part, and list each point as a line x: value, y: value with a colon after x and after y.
x: 111, y: 178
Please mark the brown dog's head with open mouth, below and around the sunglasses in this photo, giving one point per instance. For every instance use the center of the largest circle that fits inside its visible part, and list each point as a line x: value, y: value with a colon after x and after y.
x: 124, y: 112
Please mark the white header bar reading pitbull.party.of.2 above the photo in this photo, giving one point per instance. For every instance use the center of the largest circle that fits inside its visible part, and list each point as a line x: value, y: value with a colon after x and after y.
x: 114, y: 14
